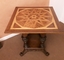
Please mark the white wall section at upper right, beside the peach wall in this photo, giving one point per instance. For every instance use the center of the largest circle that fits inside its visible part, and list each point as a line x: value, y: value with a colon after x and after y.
x: 59, y: 8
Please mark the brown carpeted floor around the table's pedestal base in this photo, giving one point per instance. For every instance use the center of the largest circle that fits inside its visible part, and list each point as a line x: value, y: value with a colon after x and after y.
x: 54, y: 45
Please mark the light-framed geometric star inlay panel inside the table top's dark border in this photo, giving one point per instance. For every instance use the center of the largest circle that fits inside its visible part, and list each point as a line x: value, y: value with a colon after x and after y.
x: 33, y: 18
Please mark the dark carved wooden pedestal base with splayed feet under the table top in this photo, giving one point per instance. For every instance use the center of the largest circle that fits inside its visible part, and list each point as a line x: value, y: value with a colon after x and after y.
x: 34, y: 42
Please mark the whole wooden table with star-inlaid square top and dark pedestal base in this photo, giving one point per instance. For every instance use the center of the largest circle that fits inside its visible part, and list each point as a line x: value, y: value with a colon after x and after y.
x: 34, y: 23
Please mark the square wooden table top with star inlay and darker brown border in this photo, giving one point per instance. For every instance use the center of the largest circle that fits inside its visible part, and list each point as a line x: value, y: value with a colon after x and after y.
x: 33, y: 20
